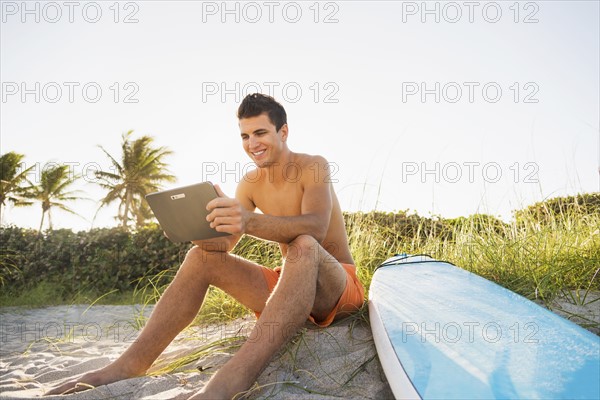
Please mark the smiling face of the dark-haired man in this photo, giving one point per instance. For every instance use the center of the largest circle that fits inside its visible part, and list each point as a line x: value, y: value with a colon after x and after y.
x: 261, y: 141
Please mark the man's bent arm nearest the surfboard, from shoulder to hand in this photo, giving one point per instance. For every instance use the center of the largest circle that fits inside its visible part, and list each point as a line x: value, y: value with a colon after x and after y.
x: 229, y: 216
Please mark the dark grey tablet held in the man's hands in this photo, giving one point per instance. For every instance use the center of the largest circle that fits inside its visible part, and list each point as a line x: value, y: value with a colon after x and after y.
x: 181, y: 212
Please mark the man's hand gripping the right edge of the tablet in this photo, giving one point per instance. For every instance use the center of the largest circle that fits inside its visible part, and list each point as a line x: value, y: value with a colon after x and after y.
x: 226, y: 214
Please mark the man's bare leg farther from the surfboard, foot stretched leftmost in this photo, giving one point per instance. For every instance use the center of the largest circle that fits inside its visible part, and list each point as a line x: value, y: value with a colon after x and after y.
x: 177, y: 308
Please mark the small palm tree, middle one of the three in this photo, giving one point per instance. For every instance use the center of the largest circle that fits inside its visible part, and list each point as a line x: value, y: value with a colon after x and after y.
x: 51, y: 191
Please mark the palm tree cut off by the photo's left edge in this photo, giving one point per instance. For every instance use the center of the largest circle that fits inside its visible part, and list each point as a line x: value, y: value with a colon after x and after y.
x: 11, y: 180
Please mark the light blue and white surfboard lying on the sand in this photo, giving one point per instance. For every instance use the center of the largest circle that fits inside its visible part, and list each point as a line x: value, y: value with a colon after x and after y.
x: 444, y: 333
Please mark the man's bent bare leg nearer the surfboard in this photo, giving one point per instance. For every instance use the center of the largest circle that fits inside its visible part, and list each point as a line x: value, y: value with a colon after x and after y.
x: 311, y: 281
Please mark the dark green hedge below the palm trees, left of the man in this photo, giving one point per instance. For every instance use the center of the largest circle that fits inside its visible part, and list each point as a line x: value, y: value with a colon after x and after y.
x: 99, y: 260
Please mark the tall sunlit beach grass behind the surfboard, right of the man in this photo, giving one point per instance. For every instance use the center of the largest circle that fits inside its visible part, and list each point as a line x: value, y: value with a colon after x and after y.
x: 559, y: 256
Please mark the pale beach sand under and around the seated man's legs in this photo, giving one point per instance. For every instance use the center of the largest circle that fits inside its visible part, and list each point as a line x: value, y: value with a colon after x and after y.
x: 42, y: 347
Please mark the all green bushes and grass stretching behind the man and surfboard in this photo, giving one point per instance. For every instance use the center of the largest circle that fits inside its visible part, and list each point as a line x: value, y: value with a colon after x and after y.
x: 547, y: 249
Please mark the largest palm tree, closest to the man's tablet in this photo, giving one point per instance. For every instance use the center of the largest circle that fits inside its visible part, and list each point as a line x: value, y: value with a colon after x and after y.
x: 140, y: 171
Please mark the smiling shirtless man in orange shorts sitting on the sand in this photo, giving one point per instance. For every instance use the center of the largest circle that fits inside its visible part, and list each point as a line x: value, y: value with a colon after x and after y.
x: 317, y: 282
